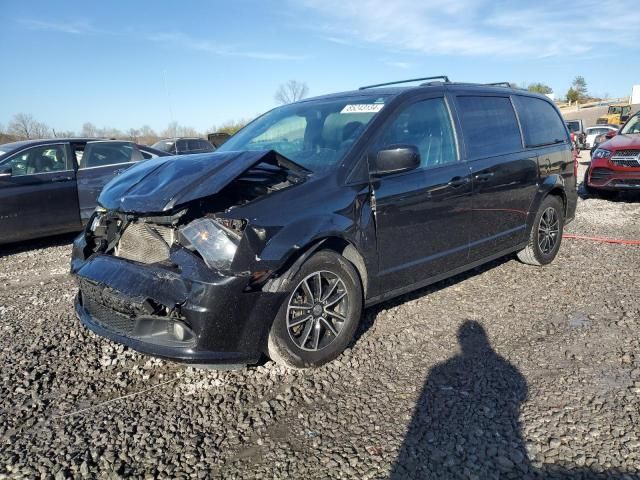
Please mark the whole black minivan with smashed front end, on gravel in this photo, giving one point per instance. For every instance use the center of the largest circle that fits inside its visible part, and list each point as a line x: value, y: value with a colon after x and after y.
x: 276, y: 242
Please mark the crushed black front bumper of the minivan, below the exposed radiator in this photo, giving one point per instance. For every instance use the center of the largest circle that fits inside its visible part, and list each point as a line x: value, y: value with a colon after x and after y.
x: 184, y: 311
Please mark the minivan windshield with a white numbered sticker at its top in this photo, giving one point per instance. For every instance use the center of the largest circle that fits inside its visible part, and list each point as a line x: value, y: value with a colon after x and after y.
x: 315, y: 134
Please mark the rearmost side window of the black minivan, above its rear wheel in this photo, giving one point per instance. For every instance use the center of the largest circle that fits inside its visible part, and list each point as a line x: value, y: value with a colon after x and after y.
x: 540, y: 122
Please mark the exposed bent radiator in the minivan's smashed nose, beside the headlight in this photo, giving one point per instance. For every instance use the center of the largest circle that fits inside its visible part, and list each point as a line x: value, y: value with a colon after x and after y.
x: 145, y: 243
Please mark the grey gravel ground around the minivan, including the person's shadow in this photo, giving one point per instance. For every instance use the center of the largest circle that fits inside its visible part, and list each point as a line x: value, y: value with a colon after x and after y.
x: 510, y: 371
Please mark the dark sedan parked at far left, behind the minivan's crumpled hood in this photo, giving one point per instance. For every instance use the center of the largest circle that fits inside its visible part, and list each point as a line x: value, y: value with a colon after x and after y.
x: 51, y: 186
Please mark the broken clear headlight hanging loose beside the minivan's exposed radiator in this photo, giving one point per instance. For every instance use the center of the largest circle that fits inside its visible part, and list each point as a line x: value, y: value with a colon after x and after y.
x: 216, y: 243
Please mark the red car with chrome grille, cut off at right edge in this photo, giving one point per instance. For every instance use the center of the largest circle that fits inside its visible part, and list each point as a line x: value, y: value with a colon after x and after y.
x: 615, y: 164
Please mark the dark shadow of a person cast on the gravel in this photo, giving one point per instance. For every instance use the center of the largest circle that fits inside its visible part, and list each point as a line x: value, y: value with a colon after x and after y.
x: 466, y: 422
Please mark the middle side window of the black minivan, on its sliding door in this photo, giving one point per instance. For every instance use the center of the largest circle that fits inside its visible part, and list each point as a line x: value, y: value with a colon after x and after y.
x: 489, y: 126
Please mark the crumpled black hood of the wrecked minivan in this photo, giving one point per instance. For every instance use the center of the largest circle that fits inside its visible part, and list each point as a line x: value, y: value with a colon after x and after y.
x: 163, y: 183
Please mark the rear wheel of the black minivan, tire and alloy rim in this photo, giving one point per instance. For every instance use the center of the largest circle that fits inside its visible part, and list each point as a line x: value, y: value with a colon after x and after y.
x: 539, y: 250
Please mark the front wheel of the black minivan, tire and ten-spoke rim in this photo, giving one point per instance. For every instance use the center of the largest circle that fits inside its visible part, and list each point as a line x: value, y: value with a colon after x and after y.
x: 287, y: 344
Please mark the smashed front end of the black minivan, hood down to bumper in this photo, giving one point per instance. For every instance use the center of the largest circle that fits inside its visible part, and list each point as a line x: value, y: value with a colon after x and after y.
x: 169, y: 266
